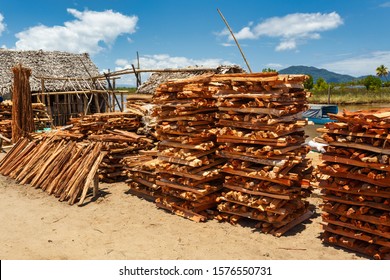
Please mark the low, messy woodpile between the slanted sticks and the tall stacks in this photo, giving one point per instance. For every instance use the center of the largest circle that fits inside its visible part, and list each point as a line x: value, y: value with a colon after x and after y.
x: 117, y: 132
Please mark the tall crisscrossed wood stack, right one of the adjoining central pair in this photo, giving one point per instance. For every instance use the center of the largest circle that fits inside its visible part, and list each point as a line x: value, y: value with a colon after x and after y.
x: 261, y: 132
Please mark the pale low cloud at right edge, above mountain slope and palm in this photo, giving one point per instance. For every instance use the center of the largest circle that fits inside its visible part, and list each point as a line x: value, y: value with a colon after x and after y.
x: 360, y: 65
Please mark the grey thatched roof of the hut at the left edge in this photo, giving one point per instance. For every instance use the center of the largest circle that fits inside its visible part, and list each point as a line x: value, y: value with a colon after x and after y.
x: 46, y: 64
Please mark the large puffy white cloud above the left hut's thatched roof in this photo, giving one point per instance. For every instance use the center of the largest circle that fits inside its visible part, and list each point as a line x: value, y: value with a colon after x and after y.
x: 84, y: 34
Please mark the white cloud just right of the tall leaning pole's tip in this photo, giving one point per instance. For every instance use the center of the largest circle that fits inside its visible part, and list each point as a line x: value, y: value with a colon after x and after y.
x: 292, y: 29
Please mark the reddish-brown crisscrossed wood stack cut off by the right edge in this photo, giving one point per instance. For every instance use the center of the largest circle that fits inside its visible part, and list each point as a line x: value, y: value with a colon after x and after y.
x: 355, y: 182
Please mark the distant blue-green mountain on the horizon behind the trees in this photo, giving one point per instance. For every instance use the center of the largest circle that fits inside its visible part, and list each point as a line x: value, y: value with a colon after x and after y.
x: 328, y: 76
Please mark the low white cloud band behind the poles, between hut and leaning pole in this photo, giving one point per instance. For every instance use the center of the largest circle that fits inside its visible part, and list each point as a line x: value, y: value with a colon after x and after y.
x: 164, y: 61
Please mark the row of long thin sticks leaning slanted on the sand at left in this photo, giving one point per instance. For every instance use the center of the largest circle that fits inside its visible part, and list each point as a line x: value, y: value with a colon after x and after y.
x: 62, y: 168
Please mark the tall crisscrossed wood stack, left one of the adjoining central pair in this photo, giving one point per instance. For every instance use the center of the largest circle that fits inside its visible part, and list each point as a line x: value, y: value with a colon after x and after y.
x: 188, y: 173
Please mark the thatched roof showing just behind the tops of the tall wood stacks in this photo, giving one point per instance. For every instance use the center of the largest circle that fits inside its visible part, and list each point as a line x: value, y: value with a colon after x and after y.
x: 156, y: 79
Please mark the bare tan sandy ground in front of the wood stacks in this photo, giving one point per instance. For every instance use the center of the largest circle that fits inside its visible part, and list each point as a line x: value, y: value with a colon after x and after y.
x: 120, y: 226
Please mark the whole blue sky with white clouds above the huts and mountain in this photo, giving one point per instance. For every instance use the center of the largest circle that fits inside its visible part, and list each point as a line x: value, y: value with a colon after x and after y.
x: 345, y: 36
